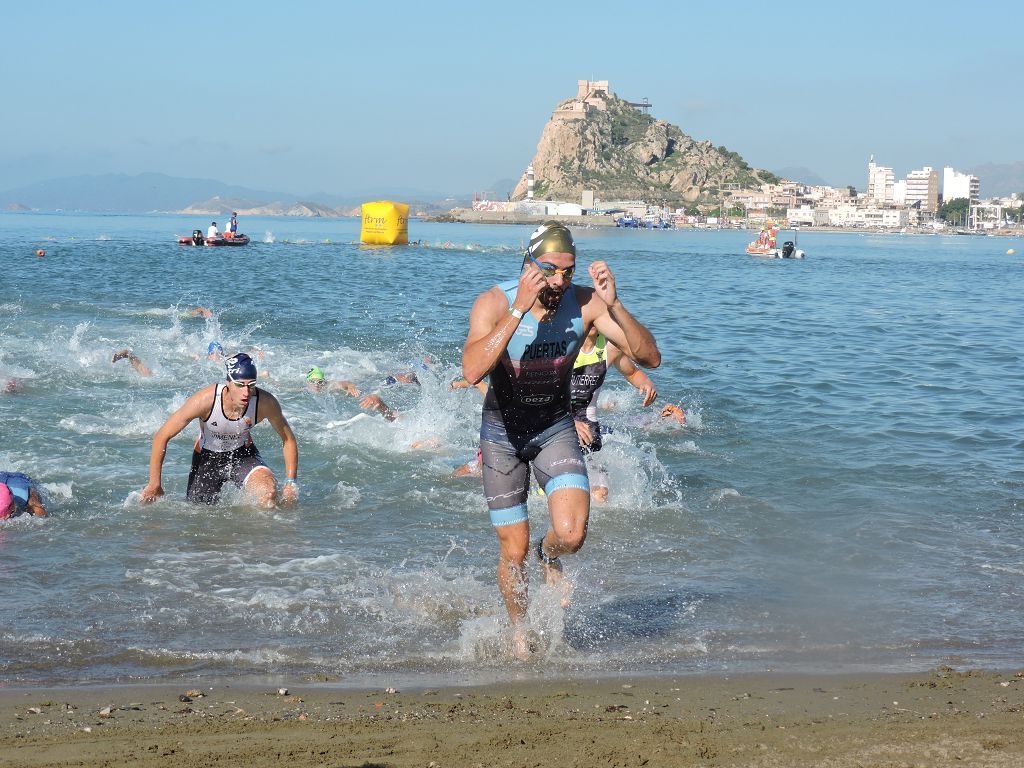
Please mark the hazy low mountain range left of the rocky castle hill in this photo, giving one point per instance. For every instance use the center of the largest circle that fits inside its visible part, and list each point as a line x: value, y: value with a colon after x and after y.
x: 146, y: 193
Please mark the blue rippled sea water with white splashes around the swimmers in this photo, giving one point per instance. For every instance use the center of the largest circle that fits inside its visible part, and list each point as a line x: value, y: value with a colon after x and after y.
x: 846, y: 494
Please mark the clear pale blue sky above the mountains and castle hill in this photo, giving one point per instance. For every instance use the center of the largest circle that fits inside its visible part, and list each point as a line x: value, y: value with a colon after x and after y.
x: 338, y: 98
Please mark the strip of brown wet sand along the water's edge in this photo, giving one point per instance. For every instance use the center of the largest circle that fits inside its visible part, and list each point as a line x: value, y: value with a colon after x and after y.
x: 942, y: 718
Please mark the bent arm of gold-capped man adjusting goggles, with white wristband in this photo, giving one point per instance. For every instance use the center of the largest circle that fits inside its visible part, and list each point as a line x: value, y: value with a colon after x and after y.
x: 492, y: 324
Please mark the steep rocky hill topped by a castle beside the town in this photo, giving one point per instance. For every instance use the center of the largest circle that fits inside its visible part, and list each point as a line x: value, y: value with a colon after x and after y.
x: 600, y: 142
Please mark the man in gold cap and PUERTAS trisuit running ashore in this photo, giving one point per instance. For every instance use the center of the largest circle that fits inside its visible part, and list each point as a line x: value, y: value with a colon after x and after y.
x: 525, y: 334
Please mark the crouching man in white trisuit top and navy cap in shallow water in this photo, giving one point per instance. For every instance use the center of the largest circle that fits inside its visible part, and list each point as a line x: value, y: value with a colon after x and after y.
x: 225, y: 451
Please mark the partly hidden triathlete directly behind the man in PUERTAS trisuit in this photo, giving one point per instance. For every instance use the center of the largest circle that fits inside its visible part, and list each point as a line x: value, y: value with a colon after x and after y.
x: 588, y: 377
